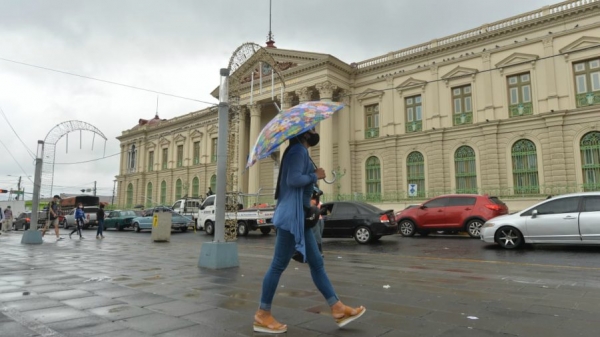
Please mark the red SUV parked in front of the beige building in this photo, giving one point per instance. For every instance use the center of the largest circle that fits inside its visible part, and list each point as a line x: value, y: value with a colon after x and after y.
x: 455, y: 212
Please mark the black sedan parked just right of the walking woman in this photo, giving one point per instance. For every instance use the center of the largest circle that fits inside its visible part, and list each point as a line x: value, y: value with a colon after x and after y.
x: 364, y: 222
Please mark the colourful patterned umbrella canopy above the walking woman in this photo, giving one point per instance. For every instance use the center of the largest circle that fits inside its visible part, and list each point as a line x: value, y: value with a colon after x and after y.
x: 288, y: 124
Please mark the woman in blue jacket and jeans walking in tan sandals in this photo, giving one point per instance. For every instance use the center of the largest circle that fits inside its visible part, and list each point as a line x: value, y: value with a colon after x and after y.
x: 295, y: 185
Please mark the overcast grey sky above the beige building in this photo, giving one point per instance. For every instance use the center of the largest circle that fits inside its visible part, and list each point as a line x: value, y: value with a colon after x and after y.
x: 176, y: 47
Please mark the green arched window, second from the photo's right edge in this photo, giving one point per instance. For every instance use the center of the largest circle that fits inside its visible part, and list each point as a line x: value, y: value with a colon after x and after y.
x: 525, y: 171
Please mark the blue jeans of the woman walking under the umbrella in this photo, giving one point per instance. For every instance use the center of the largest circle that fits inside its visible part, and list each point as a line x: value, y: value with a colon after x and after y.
x: 284, y: 249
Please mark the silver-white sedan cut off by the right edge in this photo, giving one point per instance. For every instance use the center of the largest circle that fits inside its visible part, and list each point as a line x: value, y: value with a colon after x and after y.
x: 565, y: 219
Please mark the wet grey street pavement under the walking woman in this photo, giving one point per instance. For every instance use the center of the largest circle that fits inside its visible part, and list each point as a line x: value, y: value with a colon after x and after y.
x: 126, y: 285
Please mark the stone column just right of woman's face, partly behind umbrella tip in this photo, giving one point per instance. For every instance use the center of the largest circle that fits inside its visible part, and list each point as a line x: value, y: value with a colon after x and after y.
x: 326, y: 132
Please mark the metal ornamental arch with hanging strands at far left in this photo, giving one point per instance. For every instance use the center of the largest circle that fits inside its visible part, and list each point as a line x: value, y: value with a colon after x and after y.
x: 53, y: 136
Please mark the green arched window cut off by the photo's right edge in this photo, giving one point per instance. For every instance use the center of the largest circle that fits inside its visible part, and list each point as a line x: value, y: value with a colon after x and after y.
x: 590, y: 160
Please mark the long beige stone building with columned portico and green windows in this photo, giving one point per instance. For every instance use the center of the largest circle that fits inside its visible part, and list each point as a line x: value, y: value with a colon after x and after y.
x: 511, y: 108
